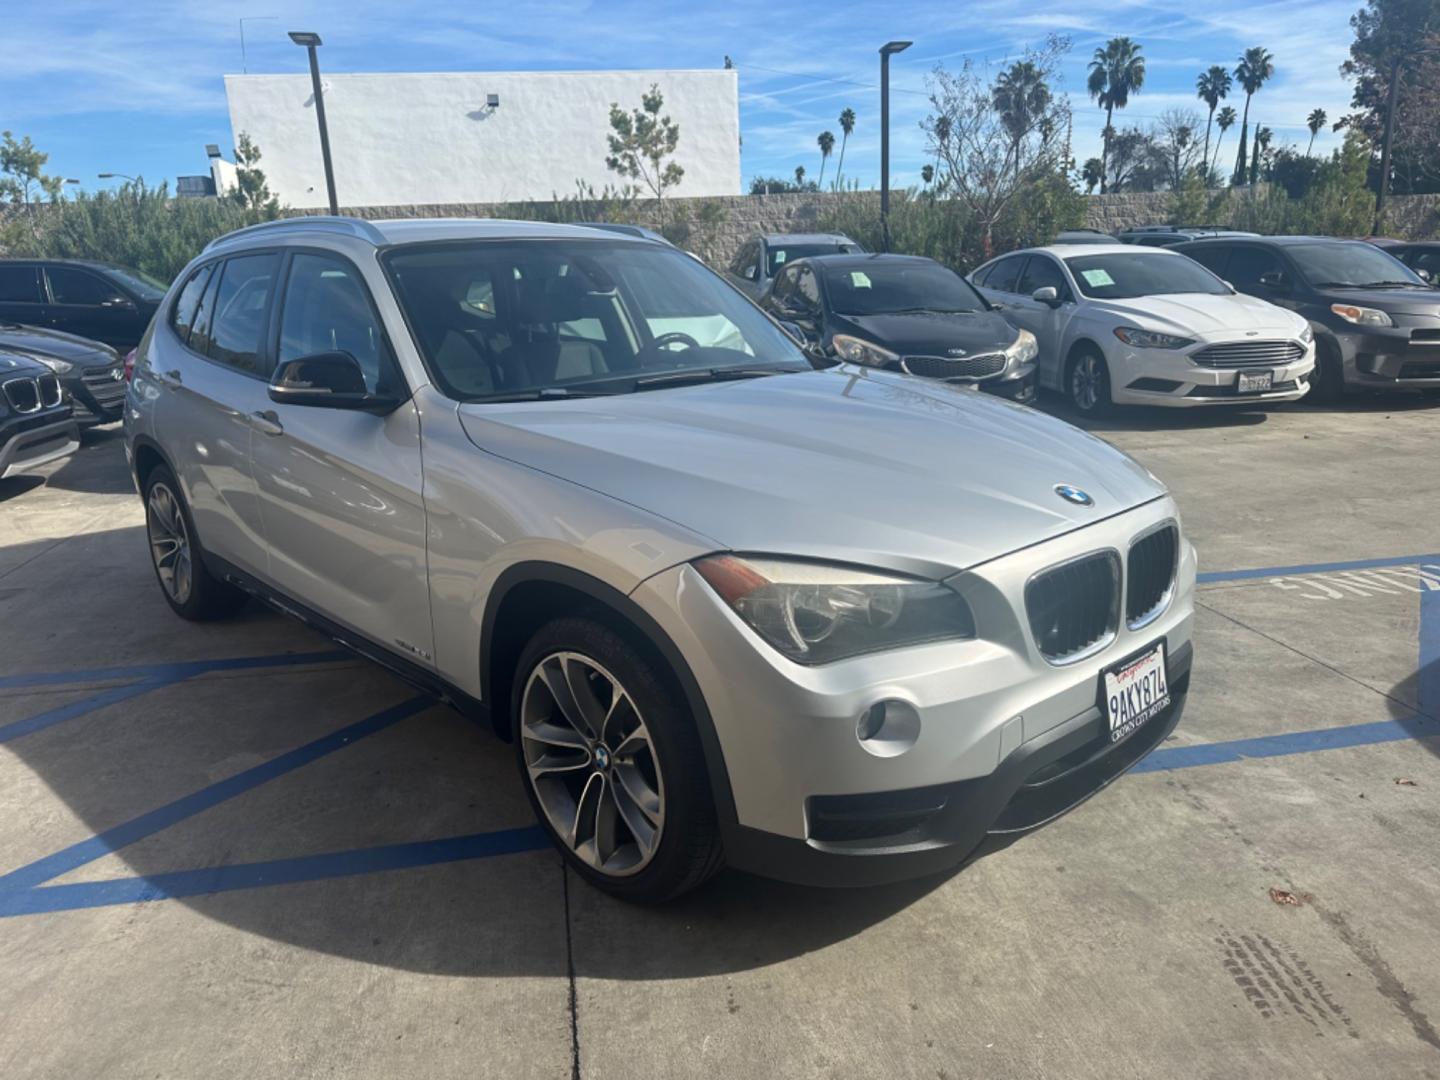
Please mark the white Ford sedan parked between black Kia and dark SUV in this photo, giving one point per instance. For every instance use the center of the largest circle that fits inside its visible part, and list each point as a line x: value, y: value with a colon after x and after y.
x: 1120, y: 326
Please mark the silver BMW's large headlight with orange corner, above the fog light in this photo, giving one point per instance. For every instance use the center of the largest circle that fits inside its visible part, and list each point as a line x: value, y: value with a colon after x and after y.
x: 817, y: 613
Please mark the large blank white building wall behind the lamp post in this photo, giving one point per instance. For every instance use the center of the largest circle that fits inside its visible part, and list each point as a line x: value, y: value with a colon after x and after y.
x: 431, y: 139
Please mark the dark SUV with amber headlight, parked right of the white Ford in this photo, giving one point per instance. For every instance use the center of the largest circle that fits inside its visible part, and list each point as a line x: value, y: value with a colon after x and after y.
x: 1377, y: 323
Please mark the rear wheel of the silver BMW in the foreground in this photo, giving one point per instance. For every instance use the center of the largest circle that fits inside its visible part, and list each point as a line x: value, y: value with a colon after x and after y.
x: 175, y: 554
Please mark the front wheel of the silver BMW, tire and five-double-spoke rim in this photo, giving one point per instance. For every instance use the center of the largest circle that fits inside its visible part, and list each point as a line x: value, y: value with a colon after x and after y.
x: 611, y: 761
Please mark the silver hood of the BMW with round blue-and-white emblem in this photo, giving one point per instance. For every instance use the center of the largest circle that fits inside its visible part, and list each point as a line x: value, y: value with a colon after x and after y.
x: 849, y: 464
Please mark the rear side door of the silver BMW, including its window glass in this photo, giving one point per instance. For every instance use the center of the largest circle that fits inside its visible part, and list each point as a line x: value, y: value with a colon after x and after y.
x: 211, y: 362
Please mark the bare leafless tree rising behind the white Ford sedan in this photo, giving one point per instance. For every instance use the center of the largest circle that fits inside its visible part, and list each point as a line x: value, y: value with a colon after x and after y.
x: 987, y: 158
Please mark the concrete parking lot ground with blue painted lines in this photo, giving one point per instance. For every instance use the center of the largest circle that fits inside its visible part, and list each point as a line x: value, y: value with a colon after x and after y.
x: 233, y: 852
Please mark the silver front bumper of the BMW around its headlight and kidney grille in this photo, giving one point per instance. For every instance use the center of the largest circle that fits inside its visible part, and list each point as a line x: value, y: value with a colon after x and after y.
x: 787, y: 734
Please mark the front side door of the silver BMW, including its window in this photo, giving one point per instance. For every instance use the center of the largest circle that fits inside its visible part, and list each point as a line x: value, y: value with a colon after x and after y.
x: 341, y: 490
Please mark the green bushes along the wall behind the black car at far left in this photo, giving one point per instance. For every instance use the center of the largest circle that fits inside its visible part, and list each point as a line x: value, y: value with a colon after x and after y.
x: 135, y: 227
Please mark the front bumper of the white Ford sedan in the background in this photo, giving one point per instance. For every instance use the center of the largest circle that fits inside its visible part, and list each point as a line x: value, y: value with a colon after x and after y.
x: 1166, y: 377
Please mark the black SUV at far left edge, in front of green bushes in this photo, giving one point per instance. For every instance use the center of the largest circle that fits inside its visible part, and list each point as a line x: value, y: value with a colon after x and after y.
x: 96, y: 300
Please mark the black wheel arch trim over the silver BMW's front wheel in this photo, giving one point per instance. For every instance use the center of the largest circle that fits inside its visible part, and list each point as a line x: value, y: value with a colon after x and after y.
x: 528, y: 595
